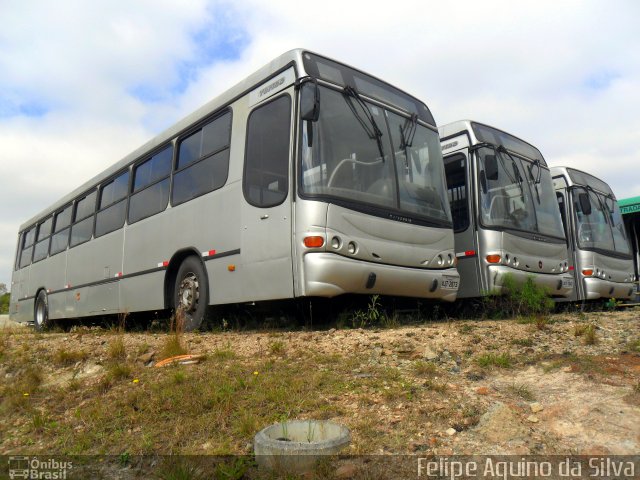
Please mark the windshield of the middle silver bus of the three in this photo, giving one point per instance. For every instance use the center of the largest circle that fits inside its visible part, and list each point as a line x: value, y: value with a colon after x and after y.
x: 516, y: 193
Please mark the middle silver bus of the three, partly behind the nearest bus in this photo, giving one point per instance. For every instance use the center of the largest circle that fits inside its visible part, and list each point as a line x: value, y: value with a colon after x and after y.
x: 505, y: 216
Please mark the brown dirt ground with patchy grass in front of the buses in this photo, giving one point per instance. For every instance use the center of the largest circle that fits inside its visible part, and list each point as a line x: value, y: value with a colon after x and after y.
x: 522, y: 386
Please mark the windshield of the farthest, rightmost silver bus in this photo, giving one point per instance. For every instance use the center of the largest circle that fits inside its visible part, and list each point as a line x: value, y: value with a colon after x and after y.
x: 603, y: 227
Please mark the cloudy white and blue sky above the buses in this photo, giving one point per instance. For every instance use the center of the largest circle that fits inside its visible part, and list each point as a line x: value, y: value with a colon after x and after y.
x: 83, y: 84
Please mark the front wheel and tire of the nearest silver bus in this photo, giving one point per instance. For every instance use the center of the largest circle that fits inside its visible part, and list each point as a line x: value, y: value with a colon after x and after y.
x: 191, y: 293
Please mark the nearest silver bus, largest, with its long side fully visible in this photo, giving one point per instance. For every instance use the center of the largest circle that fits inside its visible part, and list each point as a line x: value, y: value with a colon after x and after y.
x: 307, y: 179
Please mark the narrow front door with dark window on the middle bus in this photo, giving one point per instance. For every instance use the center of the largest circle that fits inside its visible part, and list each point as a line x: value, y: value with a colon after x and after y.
x: 460, y: 190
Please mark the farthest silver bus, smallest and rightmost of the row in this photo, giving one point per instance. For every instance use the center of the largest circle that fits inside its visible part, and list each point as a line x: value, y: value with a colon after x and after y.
x: 599, y: 251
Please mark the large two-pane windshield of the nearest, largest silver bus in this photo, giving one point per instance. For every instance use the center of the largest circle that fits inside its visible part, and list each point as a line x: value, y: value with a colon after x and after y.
x: 346, y: 163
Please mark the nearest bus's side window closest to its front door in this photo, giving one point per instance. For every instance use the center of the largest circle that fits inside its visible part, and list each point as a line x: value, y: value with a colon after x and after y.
x: 203, y: 161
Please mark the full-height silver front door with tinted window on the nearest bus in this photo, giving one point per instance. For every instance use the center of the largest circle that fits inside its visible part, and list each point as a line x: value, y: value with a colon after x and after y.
x: 266, y: 210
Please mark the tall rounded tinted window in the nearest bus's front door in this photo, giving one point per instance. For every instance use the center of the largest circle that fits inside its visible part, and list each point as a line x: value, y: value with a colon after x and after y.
x: 265, y: 181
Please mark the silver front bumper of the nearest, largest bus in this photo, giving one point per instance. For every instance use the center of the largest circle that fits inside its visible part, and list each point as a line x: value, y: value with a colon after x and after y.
x: 329, y: 275
